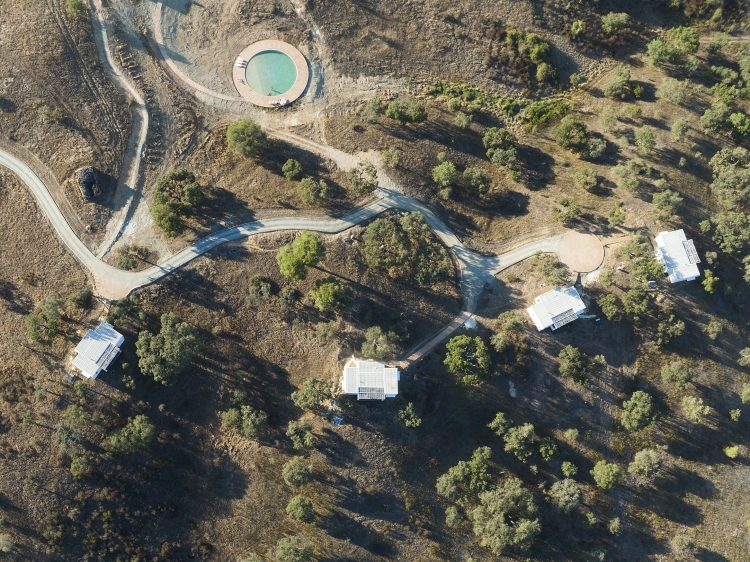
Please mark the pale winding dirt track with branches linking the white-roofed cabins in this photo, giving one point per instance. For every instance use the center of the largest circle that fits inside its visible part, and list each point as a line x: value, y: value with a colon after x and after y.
x: 112, y: 283
